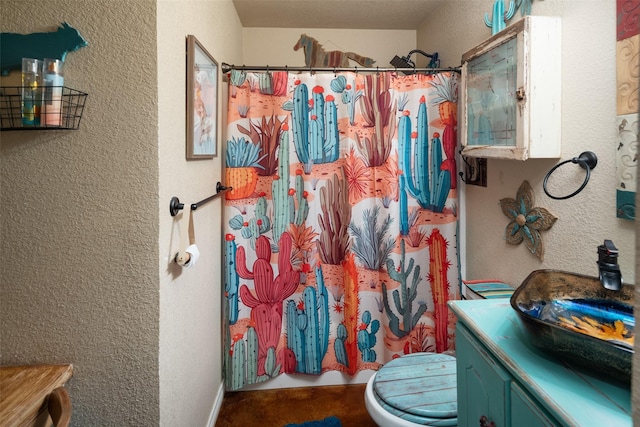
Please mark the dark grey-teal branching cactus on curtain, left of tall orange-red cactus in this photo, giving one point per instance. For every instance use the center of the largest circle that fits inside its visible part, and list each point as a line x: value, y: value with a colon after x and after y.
x: 404, y: 296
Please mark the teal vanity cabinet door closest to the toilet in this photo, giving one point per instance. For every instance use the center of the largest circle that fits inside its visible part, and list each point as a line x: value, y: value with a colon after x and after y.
x: 483, y: 385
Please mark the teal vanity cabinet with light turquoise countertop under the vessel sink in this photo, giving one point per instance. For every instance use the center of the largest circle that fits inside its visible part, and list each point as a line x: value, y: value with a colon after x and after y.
x: 504, y: 381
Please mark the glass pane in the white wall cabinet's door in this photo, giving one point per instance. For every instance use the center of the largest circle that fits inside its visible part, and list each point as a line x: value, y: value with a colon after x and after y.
x: 491, y: 88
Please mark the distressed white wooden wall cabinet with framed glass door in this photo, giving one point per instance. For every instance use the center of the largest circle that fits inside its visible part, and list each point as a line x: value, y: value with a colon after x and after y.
x: 511, y: 91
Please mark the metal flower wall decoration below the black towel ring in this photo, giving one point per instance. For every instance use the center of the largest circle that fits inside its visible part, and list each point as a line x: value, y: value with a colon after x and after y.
x: 527, y: 221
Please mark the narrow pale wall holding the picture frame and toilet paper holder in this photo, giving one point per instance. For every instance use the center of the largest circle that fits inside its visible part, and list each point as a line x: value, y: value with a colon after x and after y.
x: 190, y: 299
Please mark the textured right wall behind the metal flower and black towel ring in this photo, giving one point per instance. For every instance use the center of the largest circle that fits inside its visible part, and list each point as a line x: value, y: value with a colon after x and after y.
x: 588, y: 124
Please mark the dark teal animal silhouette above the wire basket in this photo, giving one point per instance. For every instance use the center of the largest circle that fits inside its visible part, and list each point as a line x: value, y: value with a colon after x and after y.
x: 54, y: 45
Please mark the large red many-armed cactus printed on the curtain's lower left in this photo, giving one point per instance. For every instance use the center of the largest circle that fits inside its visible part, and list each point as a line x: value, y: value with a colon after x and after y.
x: 269, y: 291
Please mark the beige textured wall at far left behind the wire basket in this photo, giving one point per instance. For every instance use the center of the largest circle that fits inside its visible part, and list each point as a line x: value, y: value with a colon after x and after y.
x: 79, y: 272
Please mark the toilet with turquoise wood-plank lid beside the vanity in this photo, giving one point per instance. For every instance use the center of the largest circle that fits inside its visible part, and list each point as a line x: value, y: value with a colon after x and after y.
x: 414, y: 390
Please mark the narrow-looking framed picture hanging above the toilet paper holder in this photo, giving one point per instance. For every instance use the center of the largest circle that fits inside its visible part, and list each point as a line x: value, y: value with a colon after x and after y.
x: 202, y: 102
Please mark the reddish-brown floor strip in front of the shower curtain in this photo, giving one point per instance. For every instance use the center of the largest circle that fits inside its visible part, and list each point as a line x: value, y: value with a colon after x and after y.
x: 279, y: 407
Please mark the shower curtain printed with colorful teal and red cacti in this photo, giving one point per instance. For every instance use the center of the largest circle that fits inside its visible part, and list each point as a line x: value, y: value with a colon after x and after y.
x: 341, y: 227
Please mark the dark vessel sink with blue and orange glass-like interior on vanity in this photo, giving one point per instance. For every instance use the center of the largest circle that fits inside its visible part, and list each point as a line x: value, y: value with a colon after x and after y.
x: 579, y: 321
